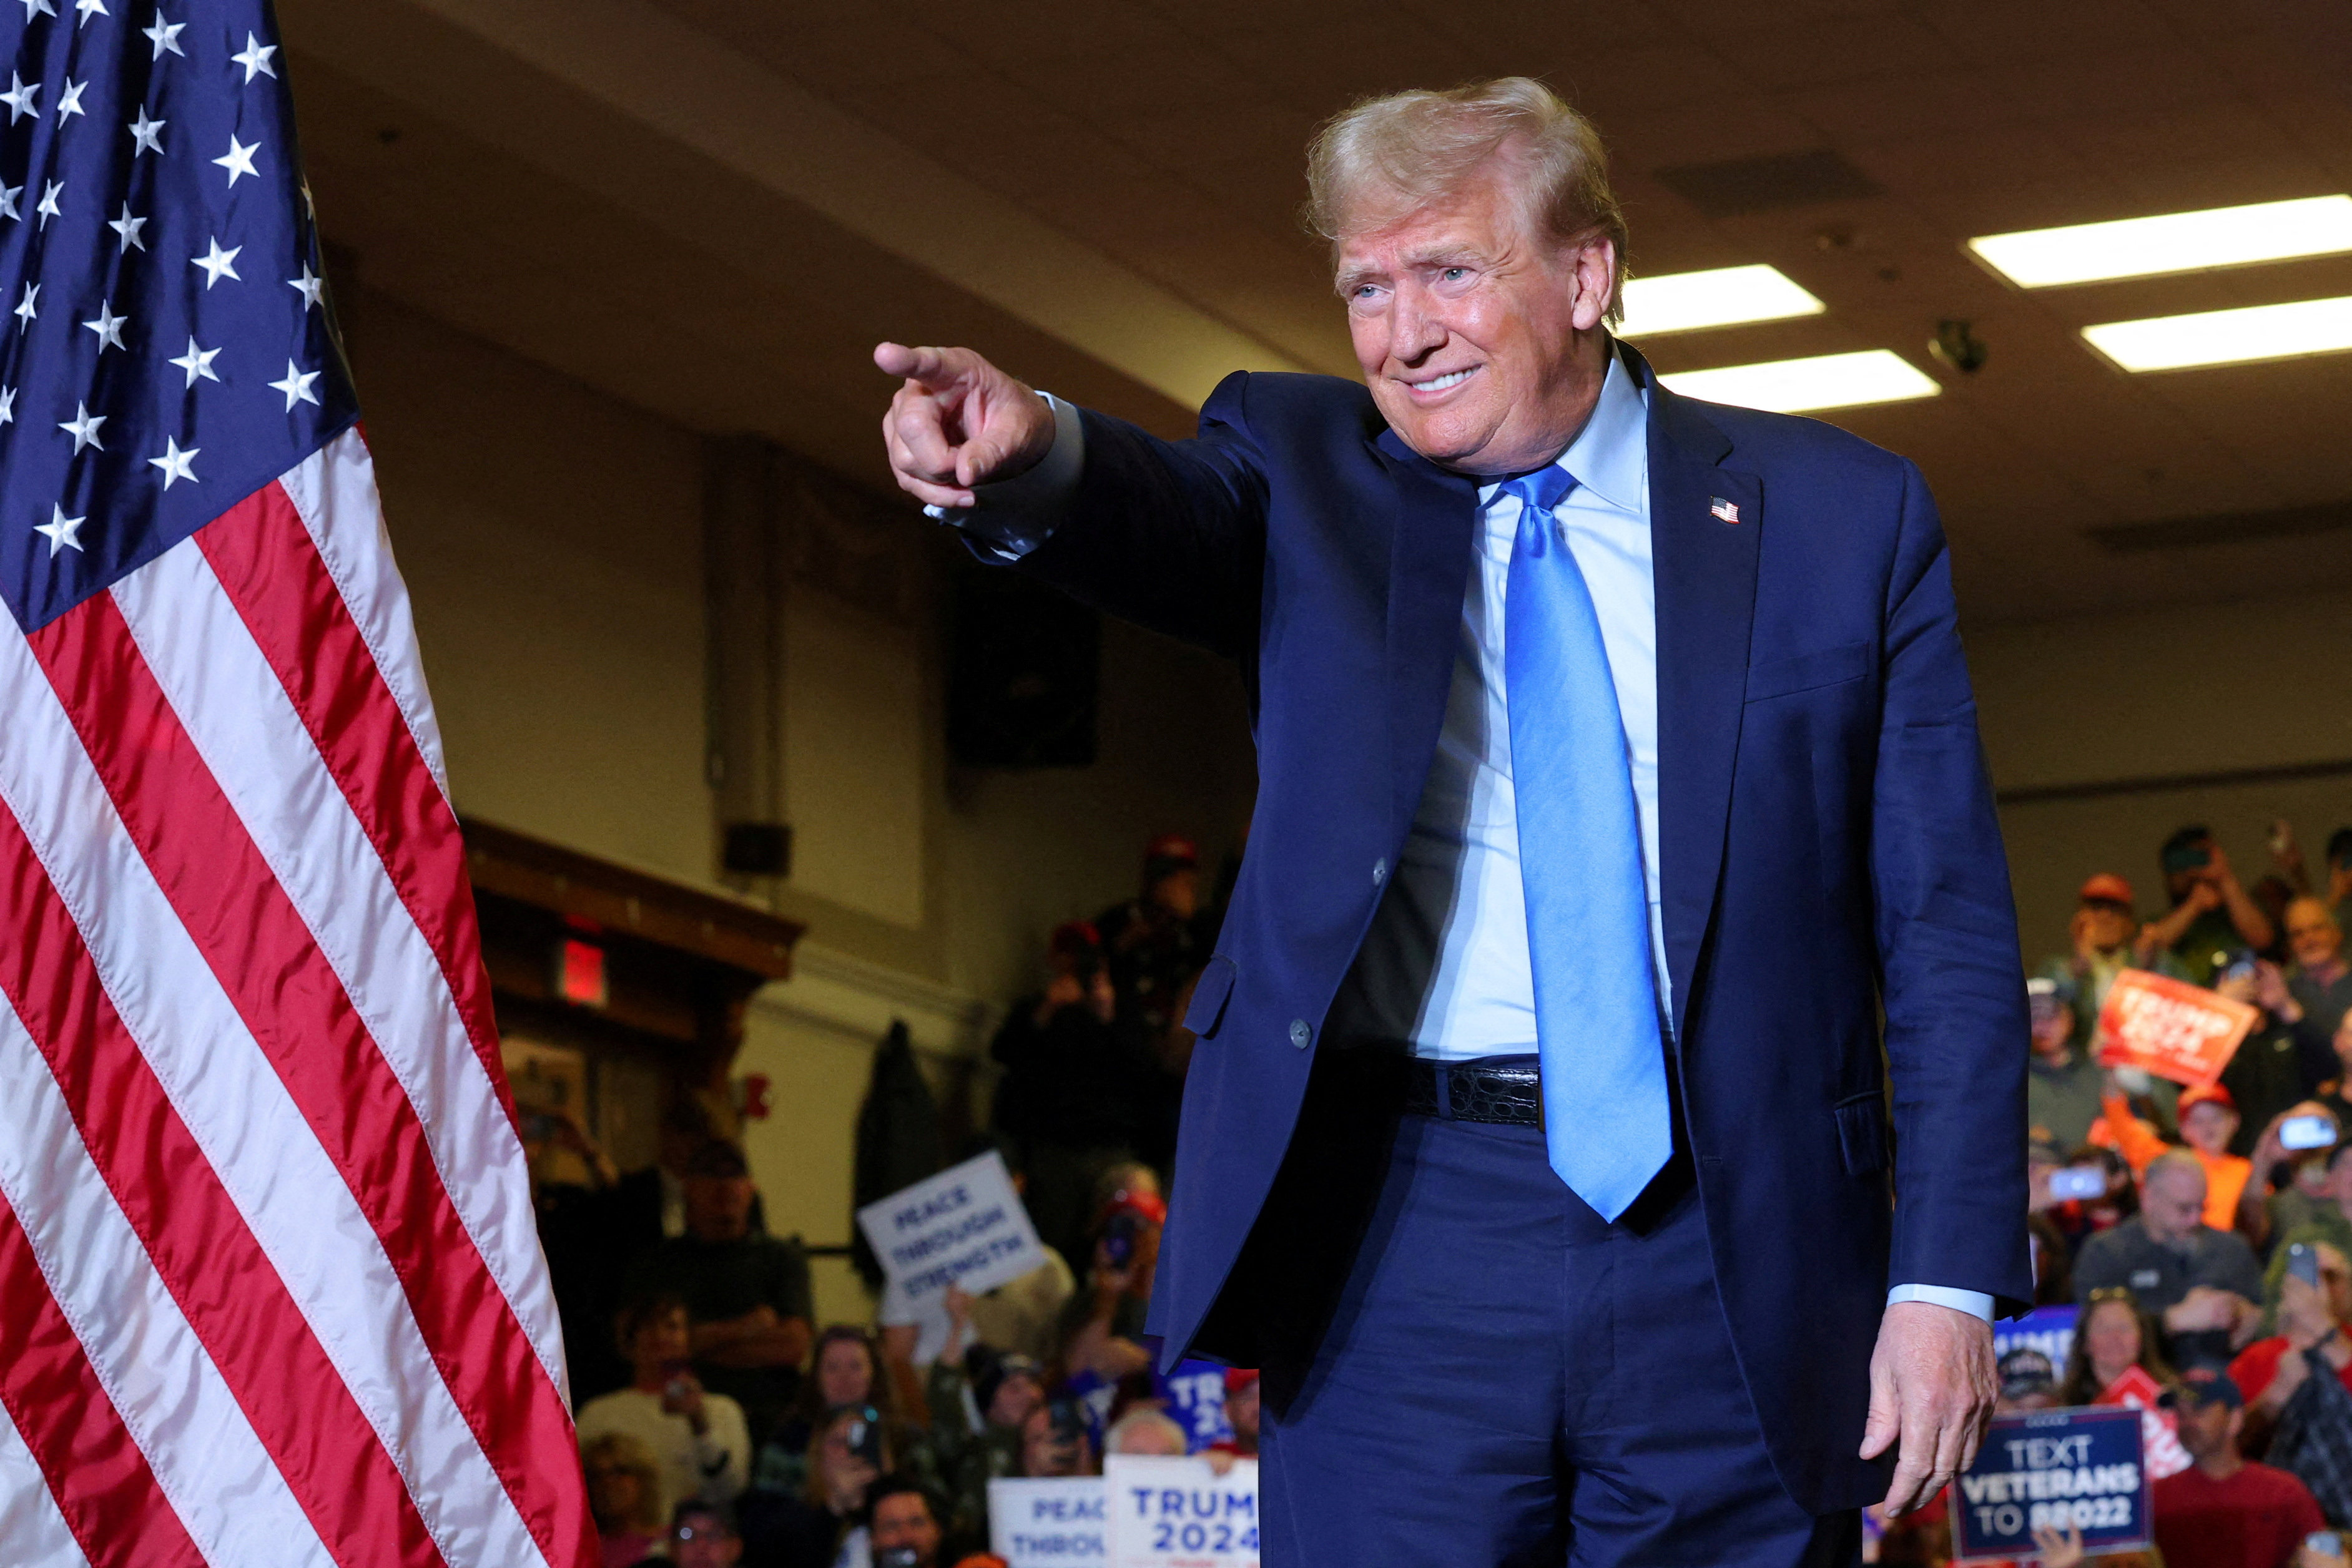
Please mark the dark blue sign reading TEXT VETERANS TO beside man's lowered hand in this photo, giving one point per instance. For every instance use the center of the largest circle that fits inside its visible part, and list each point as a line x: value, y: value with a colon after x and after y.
x: 2054, y: 1470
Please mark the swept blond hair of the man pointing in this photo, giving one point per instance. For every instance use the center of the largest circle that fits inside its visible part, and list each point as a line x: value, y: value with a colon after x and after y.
x: 1387, y: 159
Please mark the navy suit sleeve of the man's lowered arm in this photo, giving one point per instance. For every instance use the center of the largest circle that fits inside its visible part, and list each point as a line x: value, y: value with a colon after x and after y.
x: 1949, y: 946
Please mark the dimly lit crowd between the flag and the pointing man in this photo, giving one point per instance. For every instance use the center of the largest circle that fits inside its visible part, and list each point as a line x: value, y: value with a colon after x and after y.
x: 723, y: 1428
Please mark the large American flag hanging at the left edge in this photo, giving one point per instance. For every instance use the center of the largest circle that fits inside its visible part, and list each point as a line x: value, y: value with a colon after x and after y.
x: 269, y: 1280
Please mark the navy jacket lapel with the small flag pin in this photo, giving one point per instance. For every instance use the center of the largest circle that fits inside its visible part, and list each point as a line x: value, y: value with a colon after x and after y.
x: 1706, y: 582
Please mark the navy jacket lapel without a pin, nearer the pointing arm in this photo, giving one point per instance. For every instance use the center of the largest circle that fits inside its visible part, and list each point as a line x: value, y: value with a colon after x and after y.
x: 1426, y: 579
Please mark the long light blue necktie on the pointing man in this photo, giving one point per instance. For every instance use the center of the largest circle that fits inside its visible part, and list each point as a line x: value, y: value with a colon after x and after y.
x: 1605, y: 1118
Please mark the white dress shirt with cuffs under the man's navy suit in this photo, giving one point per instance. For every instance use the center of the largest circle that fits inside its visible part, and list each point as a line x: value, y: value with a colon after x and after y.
x: 1445, y: 965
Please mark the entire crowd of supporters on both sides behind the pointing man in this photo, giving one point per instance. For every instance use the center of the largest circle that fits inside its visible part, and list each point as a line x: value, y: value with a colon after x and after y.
x: 2203, y: 1238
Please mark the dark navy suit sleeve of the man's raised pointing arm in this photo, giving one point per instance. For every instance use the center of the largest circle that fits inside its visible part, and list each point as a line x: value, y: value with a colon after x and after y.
x: 1168, y: 535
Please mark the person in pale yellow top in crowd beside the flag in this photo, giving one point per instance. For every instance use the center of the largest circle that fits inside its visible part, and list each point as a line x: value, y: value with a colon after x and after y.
x: 697, y: 1440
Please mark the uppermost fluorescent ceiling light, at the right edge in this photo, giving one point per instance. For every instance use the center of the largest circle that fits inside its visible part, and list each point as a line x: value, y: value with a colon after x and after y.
x: 2172, y: 243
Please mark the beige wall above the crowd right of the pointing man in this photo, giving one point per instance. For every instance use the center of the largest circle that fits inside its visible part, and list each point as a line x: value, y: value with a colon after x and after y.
x: 2163, y: 695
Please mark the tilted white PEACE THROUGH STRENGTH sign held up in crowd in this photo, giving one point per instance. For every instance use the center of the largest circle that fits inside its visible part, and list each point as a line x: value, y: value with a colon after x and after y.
x: 958, y: 1228
